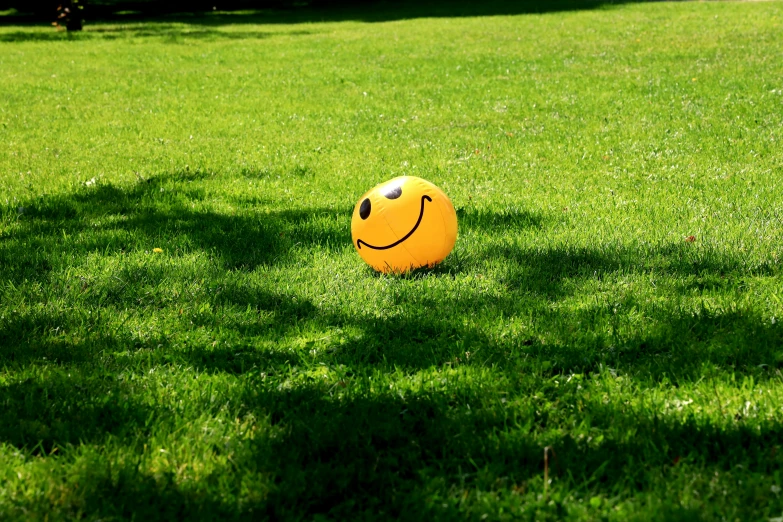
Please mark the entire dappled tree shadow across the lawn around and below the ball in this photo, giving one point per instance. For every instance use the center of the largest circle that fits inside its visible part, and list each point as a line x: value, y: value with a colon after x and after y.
x: 344, y: 450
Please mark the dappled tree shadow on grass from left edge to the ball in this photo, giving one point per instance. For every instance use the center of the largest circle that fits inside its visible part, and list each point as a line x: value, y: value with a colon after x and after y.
x: 115, y: 220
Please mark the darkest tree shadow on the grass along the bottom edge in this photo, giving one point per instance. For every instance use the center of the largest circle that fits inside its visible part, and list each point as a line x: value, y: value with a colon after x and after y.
x: 389, y: 456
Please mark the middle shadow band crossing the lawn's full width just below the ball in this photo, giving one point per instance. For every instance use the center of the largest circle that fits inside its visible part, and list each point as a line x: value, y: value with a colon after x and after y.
x: 673, y: 344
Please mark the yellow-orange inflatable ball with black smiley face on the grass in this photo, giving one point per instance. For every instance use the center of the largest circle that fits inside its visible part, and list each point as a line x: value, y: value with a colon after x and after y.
x: 403, y: 224
